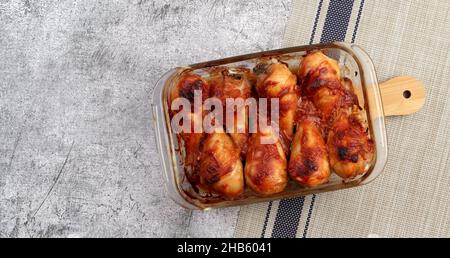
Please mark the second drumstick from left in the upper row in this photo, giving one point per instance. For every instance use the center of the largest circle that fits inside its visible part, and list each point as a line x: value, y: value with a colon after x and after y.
x: 226, y: 84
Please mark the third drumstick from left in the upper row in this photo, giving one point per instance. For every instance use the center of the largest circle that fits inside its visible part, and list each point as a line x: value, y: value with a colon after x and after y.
x: 275, y: 80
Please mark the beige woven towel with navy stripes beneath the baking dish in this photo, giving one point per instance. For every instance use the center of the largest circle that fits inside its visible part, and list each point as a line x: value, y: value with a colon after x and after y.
x: 412, y: 196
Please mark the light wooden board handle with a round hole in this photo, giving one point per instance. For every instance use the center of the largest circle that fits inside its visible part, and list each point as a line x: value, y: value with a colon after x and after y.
x: 402, y: 95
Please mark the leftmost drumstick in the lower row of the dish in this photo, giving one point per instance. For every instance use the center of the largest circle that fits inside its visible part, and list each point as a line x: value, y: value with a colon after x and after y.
x: 221, y: 169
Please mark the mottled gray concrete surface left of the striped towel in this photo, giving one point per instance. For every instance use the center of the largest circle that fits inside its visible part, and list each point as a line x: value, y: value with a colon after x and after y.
x: 77, y: 153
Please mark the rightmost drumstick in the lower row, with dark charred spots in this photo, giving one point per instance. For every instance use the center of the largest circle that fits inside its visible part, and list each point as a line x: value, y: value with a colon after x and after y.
x: 350, y: 149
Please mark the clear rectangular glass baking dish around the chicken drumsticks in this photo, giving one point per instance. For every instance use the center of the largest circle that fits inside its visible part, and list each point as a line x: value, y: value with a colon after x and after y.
x: 355, y: 64
